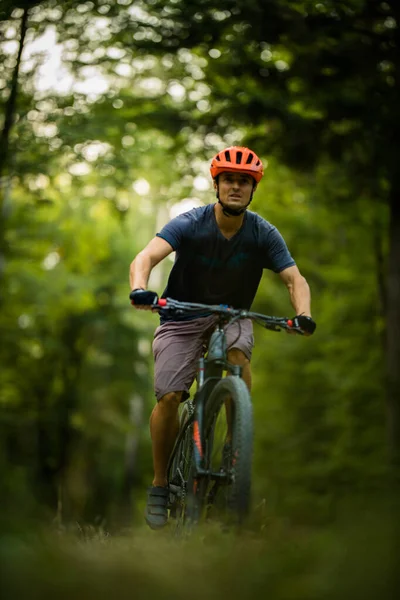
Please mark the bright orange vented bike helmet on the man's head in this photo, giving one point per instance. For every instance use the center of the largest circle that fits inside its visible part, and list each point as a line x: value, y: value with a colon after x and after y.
x: 237, y: 159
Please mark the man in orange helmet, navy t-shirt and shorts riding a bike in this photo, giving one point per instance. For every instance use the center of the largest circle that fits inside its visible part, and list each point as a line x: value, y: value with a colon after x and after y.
x: 221, y: 251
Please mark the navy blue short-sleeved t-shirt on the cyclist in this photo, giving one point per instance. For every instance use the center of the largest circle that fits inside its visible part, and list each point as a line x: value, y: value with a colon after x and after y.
x: 211, y: 269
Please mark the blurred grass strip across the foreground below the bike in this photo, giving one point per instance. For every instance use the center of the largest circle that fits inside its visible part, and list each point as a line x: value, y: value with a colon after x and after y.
x: 355, y: 558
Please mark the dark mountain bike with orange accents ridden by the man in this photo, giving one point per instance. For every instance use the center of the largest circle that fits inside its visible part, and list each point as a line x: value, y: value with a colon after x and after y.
x: 209, y: 471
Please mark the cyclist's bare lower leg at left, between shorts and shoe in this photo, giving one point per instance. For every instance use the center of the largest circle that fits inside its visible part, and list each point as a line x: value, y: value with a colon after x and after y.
x: 164, y: 426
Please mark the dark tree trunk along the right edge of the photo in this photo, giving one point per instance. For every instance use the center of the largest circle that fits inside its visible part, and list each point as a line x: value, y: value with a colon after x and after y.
x: 393, y: 328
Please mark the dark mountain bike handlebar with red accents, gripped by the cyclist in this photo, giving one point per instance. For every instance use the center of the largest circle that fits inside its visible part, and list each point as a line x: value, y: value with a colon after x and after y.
x: 271, y: 323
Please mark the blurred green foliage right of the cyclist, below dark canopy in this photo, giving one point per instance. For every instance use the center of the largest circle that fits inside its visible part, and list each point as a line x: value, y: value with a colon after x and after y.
x: 319, y: 401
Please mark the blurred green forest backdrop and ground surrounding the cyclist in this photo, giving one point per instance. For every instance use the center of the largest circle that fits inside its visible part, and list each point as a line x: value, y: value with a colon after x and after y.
x: 110, y: 114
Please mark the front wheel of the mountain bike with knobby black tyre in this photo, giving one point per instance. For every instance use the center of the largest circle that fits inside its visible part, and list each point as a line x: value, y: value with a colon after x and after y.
x: 228, y: 435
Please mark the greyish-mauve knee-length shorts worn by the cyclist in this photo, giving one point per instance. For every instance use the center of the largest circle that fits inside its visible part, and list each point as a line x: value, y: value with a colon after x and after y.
x: 178, y: 345
